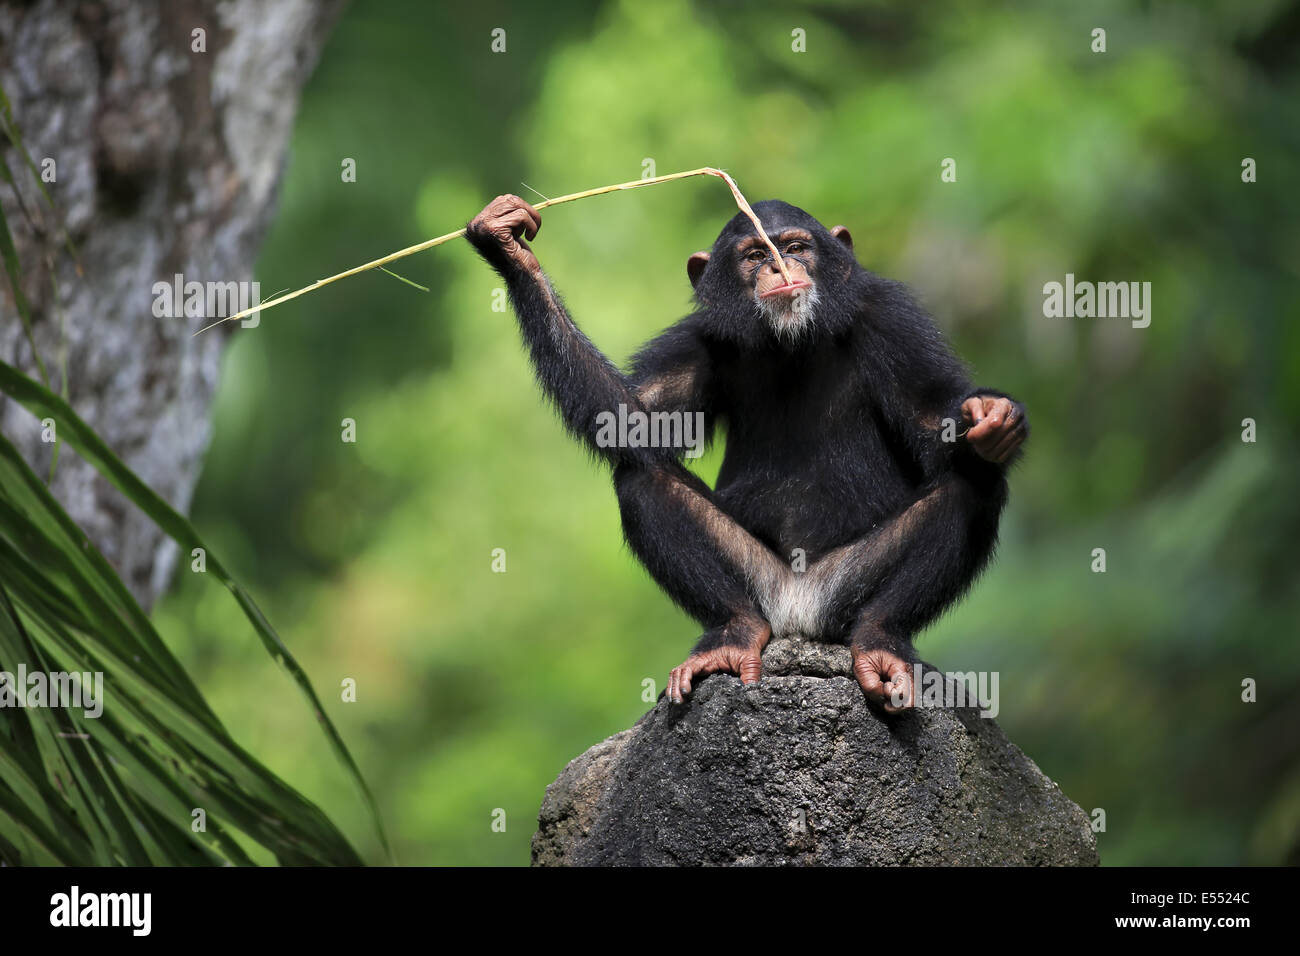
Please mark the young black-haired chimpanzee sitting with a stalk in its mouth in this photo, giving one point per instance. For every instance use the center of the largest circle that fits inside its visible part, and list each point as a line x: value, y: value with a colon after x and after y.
x: 847, y: 508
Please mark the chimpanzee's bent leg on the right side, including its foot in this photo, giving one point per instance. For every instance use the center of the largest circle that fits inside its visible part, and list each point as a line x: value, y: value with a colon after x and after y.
x: 890, y: 585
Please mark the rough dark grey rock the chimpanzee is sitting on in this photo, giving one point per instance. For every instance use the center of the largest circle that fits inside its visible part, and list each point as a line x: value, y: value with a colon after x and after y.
x: 800, y: 771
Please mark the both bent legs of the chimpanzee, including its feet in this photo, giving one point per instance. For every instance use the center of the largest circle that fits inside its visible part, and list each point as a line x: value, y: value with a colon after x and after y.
x: 876, y: 592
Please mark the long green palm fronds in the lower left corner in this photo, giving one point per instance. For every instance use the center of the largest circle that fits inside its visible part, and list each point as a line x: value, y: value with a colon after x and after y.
x: 120, y: 786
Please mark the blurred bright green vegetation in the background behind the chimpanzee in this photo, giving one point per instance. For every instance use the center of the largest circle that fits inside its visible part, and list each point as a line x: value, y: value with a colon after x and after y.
x: 475, y: 689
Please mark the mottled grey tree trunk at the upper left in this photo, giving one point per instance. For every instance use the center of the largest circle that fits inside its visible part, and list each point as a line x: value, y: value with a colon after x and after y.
x: 166, y: 161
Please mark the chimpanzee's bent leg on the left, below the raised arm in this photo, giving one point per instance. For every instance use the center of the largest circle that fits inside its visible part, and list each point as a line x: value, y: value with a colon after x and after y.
x: 707, y: 563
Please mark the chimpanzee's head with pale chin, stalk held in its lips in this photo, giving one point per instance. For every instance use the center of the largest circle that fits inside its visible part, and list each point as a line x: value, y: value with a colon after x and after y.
x: 747, y: 296
